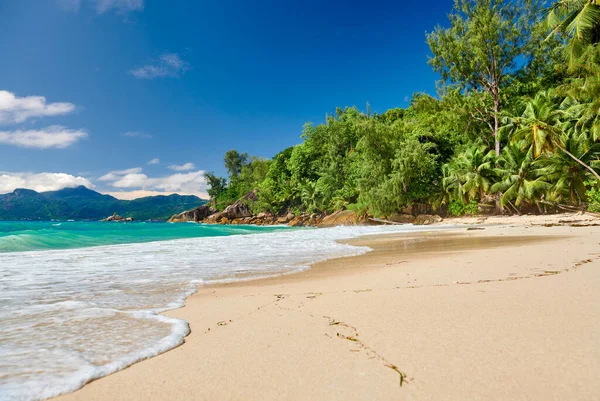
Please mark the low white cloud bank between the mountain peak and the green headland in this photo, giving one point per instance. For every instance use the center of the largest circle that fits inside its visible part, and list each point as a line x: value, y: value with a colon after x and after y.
x: 182, y: 183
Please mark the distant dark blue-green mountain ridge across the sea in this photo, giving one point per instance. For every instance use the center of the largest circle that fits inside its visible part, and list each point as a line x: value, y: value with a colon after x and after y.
x: 82, y: 203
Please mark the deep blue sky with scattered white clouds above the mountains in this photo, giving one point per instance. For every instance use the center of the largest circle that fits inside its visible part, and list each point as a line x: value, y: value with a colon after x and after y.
x: 140, y: 97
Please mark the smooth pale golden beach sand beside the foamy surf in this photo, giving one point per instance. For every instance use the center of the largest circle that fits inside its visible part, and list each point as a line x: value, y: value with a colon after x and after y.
x: 508, y: 312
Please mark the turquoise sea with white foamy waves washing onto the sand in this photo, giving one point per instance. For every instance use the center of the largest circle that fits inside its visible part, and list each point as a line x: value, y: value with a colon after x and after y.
x: 71, y: 315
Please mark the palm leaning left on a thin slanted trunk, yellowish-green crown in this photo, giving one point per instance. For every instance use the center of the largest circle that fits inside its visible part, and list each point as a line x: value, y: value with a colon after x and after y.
x: 541, y: 129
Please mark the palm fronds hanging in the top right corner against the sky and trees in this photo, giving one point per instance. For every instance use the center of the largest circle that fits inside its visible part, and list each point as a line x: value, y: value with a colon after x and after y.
x: 577, y: 19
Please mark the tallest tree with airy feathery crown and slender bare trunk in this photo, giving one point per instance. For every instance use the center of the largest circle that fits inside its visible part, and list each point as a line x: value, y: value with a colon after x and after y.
x: 484, y: 48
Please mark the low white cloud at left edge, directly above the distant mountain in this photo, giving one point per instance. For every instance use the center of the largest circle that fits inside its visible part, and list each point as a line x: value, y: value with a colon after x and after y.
x: 40, y: 182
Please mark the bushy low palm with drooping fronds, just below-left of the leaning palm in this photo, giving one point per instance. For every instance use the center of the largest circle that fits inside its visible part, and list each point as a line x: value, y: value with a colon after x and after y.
x: 521, y: 182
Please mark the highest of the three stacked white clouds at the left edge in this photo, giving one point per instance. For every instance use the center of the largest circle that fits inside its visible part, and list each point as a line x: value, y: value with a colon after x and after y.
x: 14, y: 110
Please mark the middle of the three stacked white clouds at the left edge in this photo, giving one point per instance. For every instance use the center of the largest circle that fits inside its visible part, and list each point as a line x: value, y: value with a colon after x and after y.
x: 55, y: 136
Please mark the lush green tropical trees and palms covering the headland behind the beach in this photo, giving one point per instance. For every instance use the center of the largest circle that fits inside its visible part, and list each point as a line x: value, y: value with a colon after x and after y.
x: 515, y: 126
